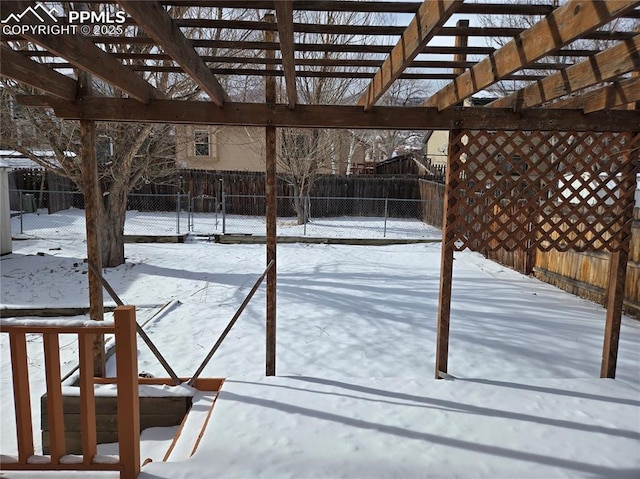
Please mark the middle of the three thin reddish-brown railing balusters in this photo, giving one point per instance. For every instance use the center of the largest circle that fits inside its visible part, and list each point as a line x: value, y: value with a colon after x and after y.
x: 57, y: 446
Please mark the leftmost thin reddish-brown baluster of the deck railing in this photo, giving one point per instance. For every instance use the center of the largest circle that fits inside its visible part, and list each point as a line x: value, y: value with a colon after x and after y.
x: 22, y: 400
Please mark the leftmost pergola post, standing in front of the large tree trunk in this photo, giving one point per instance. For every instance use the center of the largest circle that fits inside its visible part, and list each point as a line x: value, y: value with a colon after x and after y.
x: 91, y: 192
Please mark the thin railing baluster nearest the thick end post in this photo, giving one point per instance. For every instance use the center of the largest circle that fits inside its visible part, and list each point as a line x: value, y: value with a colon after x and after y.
x: 87, y: 398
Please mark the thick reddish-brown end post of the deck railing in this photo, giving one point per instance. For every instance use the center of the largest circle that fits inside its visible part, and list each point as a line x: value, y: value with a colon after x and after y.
x: 128, y: 400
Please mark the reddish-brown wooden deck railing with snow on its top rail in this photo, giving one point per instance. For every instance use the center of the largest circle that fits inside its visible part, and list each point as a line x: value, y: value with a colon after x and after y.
x: 128, y: 462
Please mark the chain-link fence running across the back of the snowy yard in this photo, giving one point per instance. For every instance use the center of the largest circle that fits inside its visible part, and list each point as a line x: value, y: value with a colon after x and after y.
x: 57, y: 214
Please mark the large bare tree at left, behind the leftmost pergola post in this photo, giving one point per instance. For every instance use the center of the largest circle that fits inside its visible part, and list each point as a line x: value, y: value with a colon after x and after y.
x: 131, y: 154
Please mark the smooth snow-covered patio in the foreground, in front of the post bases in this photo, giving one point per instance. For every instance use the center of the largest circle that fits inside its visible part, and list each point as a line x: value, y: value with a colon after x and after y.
x: 303, y: 427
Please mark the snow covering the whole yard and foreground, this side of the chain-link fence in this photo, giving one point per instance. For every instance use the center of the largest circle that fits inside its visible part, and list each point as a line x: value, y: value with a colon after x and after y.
x: 356, y: 345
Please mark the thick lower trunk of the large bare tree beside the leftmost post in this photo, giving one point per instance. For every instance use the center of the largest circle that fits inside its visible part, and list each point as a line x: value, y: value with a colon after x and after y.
x: 112, y: 234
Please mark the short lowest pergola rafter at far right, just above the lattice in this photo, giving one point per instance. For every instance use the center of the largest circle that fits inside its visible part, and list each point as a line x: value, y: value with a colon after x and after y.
x: 611, y: 96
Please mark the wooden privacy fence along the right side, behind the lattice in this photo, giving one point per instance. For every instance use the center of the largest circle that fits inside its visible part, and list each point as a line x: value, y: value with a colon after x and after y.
x: 585, y: 273
